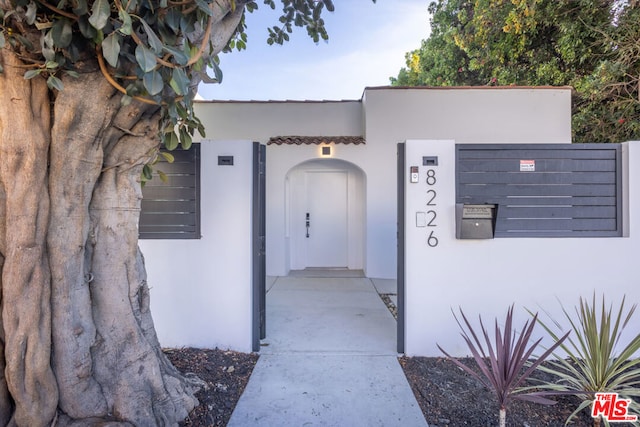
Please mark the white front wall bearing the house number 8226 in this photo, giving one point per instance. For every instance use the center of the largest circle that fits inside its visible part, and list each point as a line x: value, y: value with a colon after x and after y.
x: 484, y: 277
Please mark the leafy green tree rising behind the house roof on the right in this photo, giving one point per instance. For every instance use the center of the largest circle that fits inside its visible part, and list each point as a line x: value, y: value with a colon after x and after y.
x: 593, y: 46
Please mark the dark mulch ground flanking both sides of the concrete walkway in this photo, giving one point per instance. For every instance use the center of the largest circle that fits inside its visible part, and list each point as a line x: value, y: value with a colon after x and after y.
x: 448, y: 396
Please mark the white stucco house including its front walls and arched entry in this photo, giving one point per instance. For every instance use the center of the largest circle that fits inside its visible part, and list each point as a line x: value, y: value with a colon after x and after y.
x: 330, y: 199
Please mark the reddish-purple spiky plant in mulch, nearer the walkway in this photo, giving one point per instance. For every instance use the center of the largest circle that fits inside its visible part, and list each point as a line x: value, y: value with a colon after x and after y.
x: 506, y: 363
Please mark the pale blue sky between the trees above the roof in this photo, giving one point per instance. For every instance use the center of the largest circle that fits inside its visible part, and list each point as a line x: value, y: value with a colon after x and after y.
x: 367, y: 45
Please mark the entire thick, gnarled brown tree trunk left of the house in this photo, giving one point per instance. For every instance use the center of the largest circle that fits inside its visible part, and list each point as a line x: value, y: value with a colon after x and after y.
x: 77, y: 334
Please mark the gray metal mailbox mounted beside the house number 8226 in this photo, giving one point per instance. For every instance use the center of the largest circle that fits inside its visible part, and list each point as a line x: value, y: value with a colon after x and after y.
x: 475, y: 221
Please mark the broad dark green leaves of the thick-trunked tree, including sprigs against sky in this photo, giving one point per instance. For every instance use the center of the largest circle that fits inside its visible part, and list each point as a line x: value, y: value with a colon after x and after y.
x: 150, y: 50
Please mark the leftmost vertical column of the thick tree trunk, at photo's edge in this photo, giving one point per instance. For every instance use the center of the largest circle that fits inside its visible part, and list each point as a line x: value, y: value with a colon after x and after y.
x: 31, y: 393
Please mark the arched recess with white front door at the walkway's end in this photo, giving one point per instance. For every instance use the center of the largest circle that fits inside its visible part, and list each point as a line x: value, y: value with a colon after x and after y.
x: 325, y: 208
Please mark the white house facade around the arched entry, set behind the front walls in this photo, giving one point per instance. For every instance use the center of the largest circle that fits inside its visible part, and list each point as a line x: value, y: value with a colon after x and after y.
x: 384, y: 116
